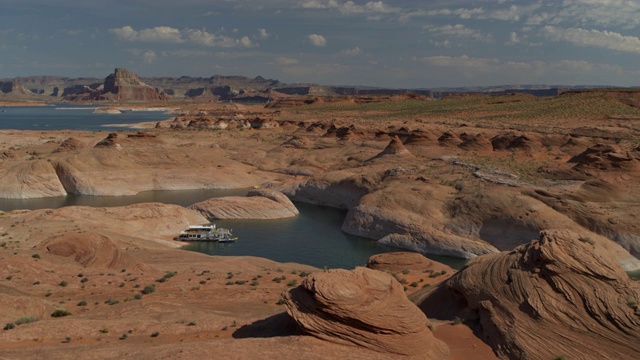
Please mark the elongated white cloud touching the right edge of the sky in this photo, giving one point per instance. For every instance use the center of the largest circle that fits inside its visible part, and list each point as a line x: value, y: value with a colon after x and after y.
x: 594, y: 38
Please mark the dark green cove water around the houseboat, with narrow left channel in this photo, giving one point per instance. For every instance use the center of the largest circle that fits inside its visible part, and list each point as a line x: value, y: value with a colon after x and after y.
x: 312, y: 238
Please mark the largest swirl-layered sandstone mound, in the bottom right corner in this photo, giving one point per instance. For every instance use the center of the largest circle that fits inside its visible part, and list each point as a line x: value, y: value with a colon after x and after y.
x: 554, y: 296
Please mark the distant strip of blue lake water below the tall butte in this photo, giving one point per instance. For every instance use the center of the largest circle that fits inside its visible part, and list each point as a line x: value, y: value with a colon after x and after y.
x: 70, y: 117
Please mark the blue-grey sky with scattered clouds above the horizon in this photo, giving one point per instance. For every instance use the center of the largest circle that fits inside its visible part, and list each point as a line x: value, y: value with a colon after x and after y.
x: 389, y: 43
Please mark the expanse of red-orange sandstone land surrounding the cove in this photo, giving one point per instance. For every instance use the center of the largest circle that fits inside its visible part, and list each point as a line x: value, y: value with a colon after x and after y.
x: 540, y: 193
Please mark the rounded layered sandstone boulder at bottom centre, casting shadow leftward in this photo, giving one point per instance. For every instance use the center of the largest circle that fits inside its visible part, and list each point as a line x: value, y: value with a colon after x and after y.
x: 362, y: 307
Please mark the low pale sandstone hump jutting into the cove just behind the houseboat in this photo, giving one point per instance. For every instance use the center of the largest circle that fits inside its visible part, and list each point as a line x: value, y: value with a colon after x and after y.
x: 258, y: 204
